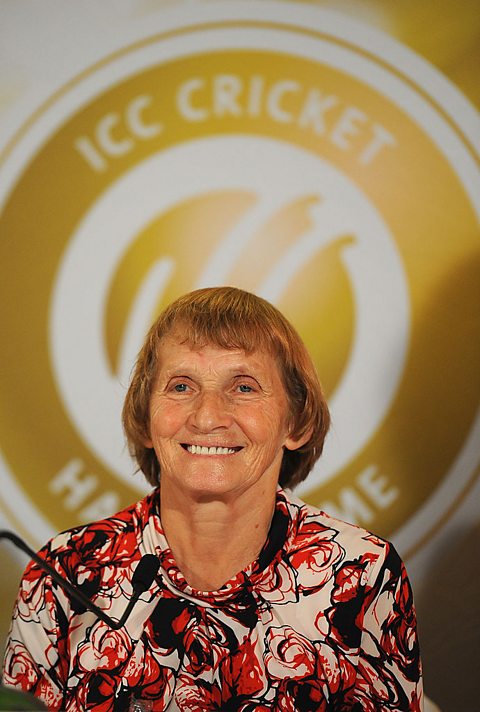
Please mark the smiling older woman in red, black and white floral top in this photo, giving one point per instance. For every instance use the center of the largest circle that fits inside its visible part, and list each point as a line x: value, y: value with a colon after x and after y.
x: 262, y: 602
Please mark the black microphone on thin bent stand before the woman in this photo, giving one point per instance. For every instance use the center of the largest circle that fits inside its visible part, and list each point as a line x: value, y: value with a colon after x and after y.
x: 142, y: 579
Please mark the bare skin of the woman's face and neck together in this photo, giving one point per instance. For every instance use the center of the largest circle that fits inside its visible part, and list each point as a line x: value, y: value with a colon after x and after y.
x: 219, y: 428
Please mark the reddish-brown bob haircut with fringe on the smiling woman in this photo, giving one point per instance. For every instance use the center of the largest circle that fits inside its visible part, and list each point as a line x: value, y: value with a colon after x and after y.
x: 230, y: 318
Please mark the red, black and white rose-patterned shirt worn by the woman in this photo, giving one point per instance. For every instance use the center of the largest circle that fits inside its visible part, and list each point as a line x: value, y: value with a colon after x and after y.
x: 322, y: 620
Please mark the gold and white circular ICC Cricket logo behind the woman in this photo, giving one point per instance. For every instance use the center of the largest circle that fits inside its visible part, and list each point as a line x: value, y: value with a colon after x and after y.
x: 290, y: 161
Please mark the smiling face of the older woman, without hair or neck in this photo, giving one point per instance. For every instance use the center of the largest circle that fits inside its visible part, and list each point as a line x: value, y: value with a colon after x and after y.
x: 218, y: 419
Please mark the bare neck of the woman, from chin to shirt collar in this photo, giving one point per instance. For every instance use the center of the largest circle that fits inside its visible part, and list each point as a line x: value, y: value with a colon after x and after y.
x: 212, y: 540
